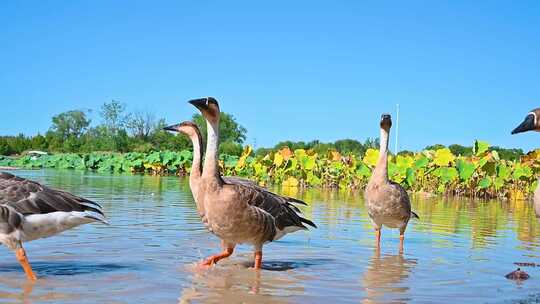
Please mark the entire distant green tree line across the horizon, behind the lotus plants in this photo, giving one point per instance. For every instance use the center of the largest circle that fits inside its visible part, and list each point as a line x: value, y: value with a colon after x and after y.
x: 138, y: 131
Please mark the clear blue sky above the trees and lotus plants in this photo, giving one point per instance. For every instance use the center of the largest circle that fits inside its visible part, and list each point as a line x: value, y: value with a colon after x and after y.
x: 295, y: 70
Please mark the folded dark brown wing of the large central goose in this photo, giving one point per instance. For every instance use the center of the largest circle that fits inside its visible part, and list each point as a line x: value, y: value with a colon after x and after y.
x: 282, y: 208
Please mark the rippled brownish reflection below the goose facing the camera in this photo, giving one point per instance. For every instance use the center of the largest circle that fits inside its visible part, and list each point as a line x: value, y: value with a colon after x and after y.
x: 383, y: 277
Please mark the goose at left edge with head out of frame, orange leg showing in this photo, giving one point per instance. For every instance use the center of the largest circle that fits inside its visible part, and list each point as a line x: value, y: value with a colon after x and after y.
x: 30, y: 211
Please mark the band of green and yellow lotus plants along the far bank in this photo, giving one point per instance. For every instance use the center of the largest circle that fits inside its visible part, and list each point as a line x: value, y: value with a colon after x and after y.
x: 483, y: 174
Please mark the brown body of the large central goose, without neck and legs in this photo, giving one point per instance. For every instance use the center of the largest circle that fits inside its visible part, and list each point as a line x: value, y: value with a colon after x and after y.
x: 239, y: 212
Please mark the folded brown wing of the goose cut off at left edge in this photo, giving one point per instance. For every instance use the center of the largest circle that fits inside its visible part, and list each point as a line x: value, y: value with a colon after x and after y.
x: 28, y: 197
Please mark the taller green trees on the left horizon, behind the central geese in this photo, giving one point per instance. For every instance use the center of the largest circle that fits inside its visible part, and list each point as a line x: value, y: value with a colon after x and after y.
x: 118, y: 131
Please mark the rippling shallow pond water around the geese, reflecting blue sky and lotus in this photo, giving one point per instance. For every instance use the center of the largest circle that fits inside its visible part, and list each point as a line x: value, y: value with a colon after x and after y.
x: 459, y: 250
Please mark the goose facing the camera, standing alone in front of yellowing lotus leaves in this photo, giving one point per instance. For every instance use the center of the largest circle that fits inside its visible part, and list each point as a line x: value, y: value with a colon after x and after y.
x: 387, y: 202
